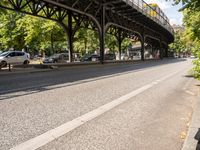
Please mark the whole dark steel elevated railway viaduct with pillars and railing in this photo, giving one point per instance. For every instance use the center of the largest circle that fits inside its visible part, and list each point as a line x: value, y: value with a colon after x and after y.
x: 121, y: 18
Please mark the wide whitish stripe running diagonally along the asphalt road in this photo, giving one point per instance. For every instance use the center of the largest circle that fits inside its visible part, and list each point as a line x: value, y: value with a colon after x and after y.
x: 55, y: 133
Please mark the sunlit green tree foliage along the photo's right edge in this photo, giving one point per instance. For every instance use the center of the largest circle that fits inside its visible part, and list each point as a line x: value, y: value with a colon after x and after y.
x: 191, y: 35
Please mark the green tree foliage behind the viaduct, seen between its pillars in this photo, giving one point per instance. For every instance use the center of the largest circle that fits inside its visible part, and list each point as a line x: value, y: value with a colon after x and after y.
x: 38, y: 35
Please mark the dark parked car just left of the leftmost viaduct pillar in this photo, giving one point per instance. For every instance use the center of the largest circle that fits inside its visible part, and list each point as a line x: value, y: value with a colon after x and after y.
x: 57, y: 58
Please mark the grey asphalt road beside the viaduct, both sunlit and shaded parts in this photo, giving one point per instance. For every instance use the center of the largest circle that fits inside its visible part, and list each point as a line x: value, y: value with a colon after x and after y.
x: 155, y: 118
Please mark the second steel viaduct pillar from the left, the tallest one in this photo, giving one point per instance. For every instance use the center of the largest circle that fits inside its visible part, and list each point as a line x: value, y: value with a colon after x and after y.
x: 102, y: 34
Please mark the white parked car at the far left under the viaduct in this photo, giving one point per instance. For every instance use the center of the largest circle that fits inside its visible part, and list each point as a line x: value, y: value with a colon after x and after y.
x: 14, y: 57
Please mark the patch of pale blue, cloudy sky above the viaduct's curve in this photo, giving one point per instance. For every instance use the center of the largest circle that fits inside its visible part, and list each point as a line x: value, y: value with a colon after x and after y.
x: 171, y: 11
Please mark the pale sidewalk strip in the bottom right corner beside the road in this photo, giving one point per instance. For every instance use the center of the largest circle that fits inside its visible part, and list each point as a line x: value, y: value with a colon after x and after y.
x: 190, y: 143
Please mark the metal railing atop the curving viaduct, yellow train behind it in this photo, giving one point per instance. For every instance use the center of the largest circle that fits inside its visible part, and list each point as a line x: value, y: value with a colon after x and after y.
x: 158, y: 17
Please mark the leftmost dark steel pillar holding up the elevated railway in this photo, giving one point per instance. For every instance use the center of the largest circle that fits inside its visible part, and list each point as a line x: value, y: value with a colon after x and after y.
x: 70, y: 36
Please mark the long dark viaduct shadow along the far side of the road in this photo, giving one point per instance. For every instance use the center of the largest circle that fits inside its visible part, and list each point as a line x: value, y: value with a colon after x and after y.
x: 24, y: 84
